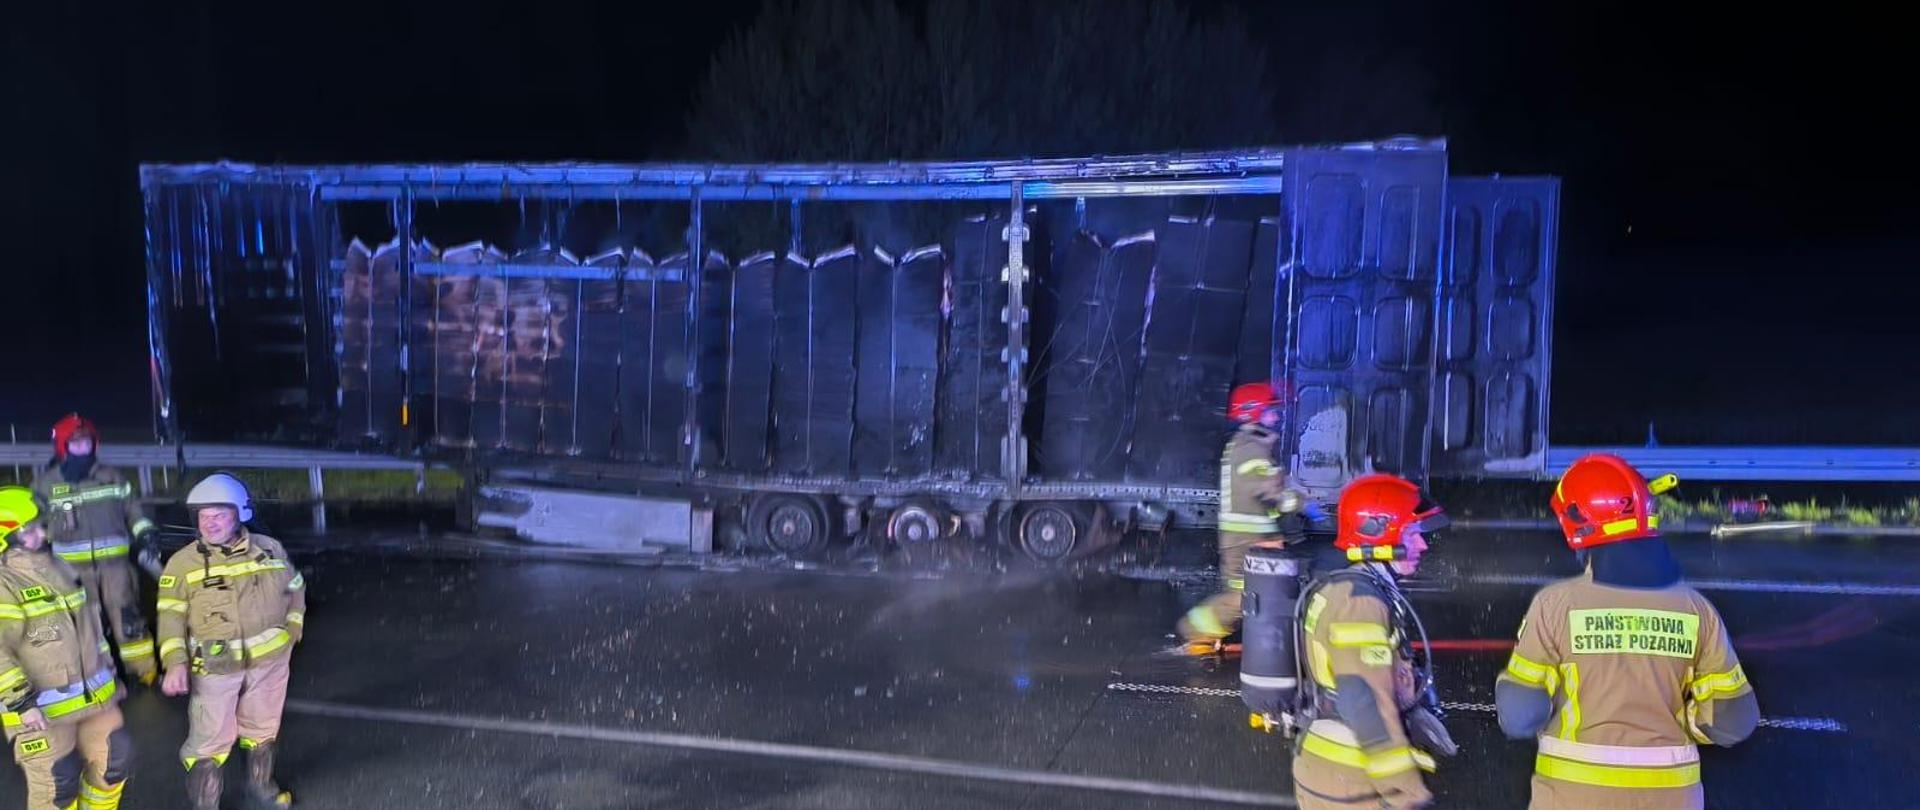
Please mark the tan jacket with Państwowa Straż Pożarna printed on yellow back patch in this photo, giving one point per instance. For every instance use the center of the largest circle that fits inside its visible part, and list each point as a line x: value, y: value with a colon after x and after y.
x: 1637, y: 677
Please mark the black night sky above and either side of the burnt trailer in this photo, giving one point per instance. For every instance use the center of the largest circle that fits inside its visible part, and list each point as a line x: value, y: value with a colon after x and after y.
x: 1740, y: 235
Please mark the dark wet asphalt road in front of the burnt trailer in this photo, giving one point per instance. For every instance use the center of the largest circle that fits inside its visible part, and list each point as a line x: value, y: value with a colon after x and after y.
x: 439, y: 682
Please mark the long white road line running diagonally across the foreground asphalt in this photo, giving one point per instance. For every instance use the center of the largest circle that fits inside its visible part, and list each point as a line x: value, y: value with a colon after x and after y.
x: 804, y: 753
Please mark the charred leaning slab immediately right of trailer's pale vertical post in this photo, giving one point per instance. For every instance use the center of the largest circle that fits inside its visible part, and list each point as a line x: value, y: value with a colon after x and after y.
x: 1092, y: 364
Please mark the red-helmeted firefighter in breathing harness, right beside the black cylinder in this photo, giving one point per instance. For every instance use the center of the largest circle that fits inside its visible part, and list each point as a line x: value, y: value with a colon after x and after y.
x: 1372, y: 717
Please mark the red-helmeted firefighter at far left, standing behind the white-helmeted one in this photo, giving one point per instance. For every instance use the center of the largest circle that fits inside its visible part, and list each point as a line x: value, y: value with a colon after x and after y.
x: 95, y: 525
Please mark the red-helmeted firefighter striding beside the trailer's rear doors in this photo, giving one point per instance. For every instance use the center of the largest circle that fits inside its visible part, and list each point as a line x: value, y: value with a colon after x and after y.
x: 1255, y: 504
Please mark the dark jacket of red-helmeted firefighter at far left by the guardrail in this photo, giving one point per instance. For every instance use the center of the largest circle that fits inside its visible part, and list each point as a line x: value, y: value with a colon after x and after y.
x: 91, y: 519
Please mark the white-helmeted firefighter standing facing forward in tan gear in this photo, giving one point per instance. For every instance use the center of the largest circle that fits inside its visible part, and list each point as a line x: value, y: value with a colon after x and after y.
x: 231, y: 611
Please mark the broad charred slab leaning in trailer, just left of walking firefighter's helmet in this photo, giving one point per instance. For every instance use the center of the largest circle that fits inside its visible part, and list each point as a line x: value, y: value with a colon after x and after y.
x: 1193, y: 331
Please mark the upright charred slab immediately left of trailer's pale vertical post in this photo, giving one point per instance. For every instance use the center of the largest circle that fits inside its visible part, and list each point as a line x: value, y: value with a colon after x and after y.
x: 972, y: 383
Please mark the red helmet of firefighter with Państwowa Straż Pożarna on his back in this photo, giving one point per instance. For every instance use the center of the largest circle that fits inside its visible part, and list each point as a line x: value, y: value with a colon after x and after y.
x: 1604, y: 500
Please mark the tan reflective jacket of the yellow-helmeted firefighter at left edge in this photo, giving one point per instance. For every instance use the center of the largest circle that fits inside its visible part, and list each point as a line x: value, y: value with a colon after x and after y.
x: 53, y: 652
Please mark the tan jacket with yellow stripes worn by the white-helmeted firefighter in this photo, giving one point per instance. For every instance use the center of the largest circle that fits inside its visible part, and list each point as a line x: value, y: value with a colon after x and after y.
x: 228, y: 609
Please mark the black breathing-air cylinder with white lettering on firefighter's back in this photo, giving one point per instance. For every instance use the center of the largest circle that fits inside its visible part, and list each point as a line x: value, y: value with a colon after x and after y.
x: 1270, y: 680
